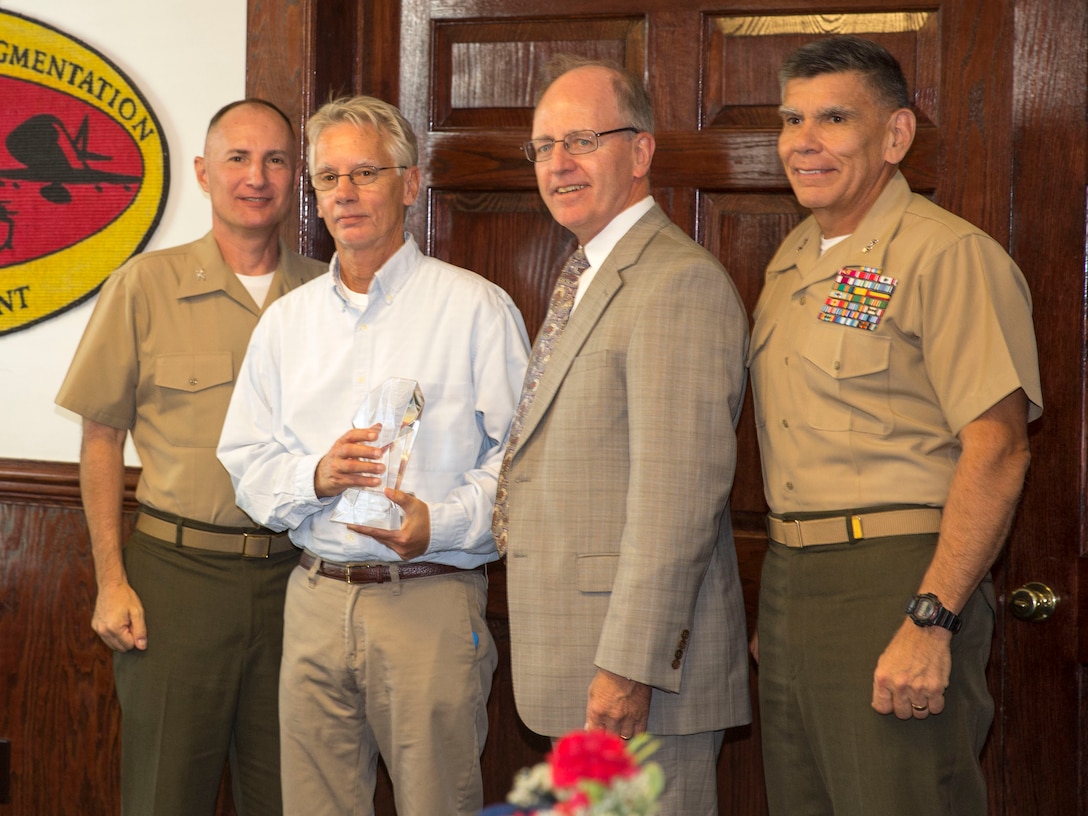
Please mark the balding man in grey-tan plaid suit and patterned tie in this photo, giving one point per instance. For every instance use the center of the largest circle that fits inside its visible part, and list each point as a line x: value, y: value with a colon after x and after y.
x: 626, y: 609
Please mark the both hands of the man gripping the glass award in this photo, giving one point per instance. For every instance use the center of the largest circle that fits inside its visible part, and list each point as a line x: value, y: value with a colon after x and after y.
x: 354, y: 463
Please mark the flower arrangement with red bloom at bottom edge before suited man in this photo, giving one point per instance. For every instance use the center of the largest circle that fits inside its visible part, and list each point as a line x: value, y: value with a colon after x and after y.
x: 592, y: 774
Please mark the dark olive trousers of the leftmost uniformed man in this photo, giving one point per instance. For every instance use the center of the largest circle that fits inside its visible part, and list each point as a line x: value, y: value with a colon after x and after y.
x: 206, y: 688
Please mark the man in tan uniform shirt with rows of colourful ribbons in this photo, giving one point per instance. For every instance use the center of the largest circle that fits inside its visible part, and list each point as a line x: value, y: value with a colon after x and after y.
x: 895, y: 372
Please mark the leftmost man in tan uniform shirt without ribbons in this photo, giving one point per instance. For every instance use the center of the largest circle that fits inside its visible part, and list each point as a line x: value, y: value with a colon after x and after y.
x: 193, y: 604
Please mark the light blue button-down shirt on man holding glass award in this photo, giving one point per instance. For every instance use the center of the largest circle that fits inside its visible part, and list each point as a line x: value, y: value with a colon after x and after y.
x: 312, y: 363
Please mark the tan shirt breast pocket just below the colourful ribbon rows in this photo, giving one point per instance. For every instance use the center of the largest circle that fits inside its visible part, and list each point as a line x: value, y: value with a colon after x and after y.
x: 848, y: 374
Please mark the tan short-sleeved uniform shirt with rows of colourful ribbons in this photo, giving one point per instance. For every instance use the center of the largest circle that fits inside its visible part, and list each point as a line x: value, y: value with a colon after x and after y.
x: 868, y: 362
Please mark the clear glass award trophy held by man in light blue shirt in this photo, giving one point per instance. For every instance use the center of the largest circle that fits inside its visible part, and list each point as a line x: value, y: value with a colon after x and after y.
x: 397, y: 405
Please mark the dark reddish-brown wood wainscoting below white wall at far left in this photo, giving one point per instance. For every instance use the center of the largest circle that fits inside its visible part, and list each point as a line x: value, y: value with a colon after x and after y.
x: 59, y: 713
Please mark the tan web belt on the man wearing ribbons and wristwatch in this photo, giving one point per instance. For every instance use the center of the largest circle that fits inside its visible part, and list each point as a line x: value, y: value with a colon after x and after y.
x: 850, y: 528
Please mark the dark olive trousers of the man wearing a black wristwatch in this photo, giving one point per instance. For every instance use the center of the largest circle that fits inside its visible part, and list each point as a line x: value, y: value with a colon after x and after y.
x: 826, y: 615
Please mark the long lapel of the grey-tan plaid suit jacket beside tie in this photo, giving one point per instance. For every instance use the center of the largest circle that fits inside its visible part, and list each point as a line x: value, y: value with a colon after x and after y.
x: 603, y: 289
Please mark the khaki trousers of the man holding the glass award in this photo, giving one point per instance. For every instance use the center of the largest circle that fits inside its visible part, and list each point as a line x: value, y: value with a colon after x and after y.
x: 402, y: 670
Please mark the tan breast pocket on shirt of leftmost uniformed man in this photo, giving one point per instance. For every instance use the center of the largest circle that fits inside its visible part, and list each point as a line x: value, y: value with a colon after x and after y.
x: 192, y: 393
